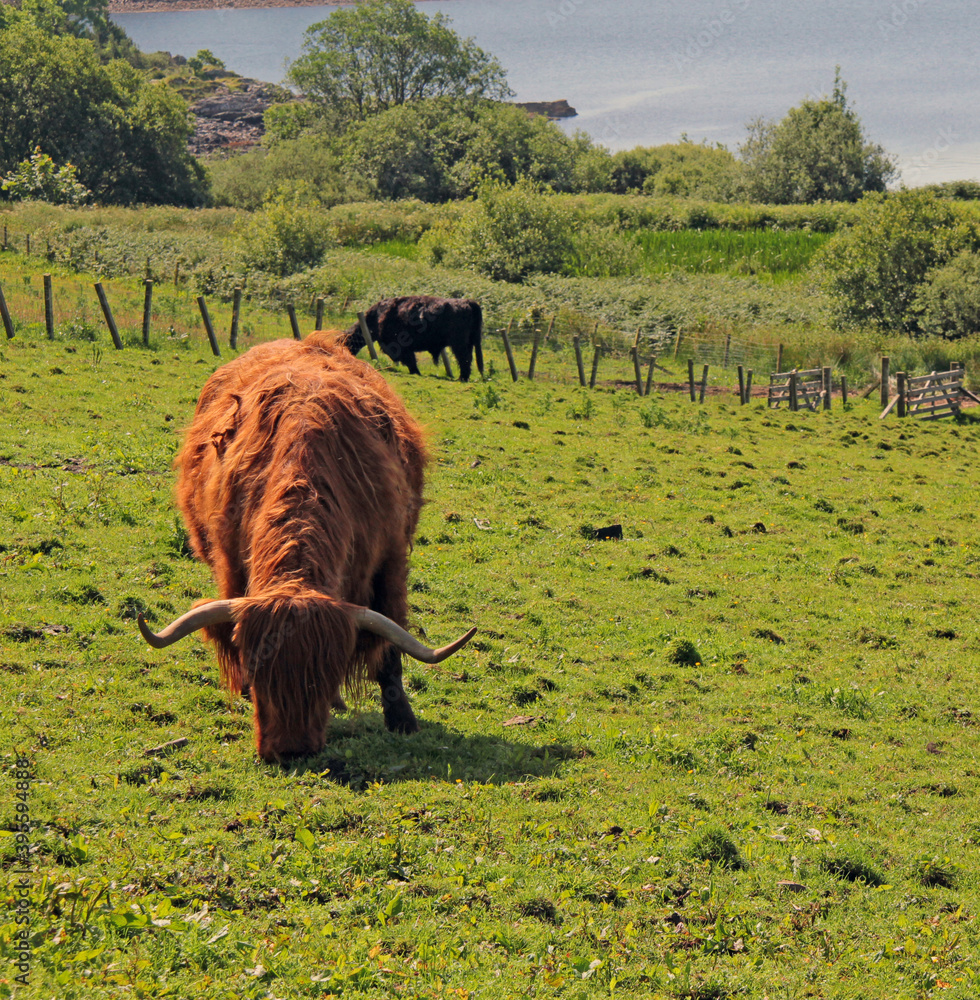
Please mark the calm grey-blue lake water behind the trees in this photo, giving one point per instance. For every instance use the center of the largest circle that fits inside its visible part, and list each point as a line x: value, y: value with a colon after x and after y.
x: 644, y: 72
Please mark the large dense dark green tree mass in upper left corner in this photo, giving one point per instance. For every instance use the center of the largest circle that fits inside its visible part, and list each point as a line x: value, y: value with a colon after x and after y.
x: 126, y: 137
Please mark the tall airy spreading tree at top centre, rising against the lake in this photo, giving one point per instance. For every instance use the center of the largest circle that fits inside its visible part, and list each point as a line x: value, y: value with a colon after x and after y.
x: 383, y: 53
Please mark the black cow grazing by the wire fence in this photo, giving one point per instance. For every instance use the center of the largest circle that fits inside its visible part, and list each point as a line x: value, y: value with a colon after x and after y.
x: 424, y: 323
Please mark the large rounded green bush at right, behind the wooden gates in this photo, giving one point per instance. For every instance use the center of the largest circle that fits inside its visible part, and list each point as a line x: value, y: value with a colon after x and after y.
x: 875, y: 269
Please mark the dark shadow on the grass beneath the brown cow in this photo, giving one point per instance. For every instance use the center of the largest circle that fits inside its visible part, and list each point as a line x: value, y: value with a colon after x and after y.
x: 360, y: 751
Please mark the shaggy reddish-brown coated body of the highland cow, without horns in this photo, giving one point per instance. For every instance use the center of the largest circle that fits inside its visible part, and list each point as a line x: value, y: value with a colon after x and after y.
x: 300, y: 482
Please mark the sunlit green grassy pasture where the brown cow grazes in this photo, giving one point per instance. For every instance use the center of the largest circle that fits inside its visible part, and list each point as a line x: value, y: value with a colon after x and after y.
x: 733, y: 754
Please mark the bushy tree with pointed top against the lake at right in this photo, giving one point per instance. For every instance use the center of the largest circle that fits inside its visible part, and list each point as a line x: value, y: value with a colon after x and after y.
x: 818, y: 152
